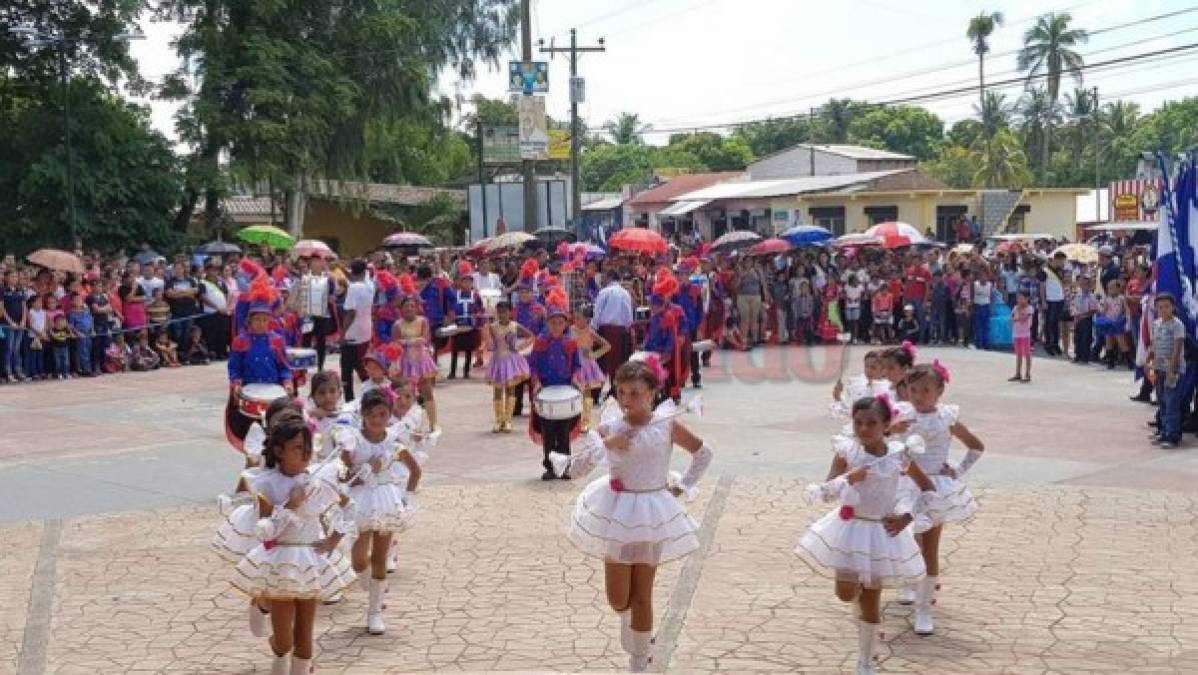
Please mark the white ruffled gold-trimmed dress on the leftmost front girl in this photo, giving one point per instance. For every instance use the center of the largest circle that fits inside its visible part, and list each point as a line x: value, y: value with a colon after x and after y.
x: 285, y: 564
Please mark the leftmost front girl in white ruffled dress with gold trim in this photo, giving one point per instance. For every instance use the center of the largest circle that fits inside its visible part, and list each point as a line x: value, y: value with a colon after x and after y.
x: 295, y: 565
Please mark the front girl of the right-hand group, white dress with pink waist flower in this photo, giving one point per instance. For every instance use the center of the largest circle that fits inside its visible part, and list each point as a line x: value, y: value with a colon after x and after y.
x: 867, y: 543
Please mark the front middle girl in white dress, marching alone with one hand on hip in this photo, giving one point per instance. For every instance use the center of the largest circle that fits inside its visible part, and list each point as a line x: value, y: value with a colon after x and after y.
x: 633, y: 519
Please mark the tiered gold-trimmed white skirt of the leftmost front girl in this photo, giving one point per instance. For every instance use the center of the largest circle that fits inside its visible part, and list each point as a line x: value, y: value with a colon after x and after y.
x: 293, y: 572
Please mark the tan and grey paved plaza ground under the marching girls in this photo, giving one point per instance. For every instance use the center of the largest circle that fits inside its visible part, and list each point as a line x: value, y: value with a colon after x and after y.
x: 1082, y: 557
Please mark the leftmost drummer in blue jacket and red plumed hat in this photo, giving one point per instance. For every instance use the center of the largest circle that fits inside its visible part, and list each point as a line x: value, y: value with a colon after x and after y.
x: 258, y: 358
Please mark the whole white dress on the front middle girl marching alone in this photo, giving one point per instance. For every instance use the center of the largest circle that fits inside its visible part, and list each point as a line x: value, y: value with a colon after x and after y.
x: 644, y: 522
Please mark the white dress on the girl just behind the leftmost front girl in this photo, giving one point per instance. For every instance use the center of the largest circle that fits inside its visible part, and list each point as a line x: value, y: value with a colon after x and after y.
x: 379, y: 498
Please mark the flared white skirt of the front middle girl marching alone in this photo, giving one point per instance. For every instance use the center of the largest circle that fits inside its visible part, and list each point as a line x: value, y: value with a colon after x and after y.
x: 632, y: 528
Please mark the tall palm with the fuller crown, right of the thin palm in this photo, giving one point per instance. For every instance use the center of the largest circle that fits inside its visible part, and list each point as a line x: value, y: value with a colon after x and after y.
x: 1048, y: 51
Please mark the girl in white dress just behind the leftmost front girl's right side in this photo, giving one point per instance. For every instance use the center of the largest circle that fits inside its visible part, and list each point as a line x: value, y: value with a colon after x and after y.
x: 382, y: 511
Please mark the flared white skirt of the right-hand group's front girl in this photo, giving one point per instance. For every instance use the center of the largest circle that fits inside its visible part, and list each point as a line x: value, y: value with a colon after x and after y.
x: 861, y: 551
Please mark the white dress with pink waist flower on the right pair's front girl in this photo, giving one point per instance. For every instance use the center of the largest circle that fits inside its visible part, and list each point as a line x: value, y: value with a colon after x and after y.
x: 860, y: 549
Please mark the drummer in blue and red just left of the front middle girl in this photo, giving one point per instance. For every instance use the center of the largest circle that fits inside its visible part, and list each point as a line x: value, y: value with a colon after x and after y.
x: 554, y: 363
